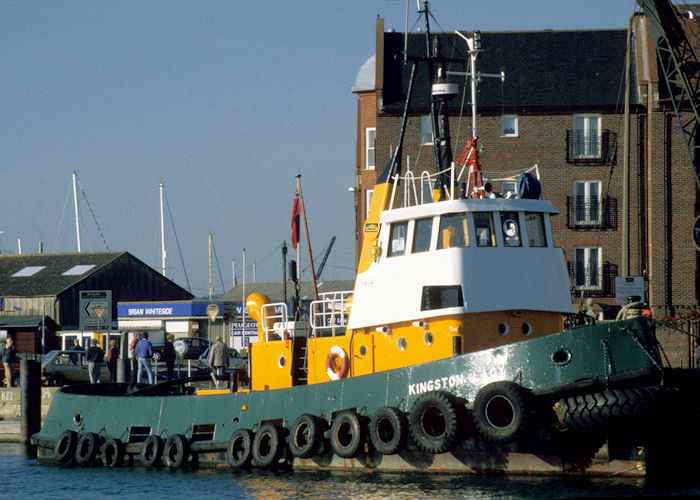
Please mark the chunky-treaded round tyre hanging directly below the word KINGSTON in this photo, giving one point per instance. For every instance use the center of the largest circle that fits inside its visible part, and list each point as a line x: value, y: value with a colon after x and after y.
x: 433, y: 421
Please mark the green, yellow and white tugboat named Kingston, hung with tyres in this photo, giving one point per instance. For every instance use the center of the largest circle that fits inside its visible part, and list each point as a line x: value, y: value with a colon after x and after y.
x: 438, y: 360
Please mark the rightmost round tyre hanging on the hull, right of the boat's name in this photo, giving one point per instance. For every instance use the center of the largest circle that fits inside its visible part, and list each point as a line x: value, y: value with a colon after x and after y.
x: 500, y: 411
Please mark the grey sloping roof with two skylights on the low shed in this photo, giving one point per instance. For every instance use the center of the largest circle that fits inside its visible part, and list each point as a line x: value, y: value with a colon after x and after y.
x: 50, y: 280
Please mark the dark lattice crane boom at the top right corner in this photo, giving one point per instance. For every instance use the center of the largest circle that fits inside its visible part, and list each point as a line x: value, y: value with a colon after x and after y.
x: 681, y: 72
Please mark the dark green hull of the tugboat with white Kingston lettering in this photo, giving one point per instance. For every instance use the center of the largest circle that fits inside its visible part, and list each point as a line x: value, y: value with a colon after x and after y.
x: 575, y: 362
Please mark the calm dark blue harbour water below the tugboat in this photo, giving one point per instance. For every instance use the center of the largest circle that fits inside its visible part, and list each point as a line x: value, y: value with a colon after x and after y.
x: 23, y: 478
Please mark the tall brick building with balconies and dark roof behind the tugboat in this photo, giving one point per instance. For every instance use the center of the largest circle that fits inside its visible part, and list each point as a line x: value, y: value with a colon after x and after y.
x: 560, y: 107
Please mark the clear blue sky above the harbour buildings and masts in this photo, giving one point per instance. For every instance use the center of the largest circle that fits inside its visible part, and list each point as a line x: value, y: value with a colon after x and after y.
x: 223, y: 102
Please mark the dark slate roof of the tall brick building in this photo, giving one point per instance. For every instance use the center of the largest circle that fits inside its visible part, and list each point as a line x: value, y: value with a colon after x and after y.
x: 544, y: 69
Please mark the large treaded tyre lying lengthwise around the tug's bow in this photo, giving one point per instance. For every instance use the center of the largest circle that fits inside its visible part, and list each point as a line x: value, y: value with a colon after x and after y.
x: 613, y: 406
